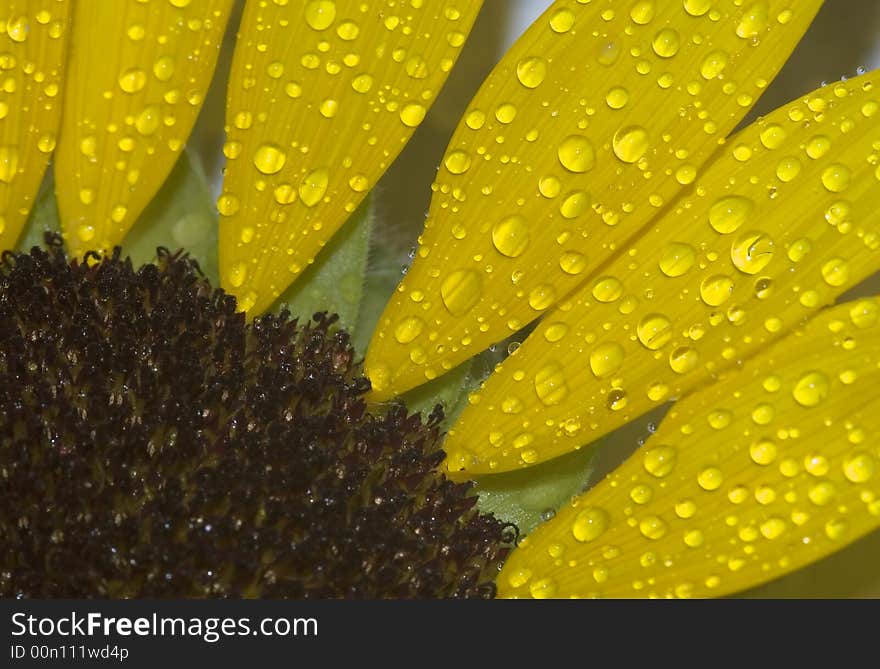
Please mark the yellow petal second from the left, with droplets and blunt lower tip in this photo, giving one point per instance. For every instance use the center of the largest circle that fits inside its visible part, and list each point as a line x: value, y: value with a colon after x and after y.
x: 137, y: 75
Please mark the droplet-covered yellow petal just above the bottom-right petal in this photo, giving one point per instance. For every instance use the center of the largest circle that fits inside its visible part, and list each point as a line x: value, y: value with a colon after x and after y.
x: 783, y: 221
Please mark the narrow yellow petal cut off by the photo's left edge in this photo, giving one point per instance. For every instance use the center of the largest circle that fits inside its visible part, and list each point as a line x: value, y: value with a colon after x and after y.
x: 33, y: 34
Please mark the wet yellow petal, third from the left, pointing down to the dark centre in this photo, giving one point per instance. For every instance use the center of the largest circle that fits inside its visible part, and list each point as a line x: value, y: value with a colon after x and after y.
x: 342, y: 86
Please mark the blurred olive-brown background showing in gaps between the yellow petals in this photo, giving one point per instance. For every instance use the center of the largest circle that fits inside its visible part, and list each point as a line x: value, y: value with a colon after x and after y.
x: 844, y: 38
